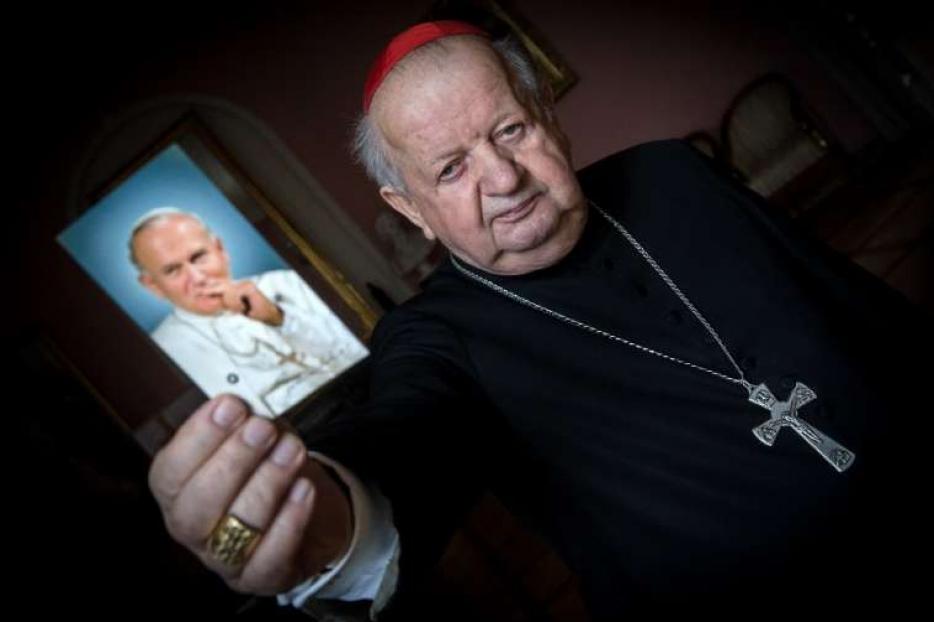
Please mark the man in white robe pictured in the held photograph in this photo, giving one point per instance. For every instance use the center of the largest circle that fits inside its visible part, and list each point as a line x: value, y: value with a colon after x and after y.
x: 268, y: 339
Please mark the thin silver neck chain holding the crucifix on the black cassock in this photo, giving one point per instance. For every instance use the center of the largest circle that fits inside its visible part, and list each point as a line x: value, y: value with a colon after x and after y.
x: 741, y: 380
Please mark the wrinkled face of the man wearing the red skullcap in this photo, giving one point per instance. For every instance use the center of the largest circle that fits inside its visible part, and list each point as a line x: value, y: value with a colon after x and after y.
x: 483, y: 176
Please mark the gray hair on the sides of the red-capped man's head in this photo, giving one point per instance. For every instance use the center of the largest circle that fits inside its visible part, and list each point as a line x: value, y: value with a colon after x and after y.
x: 369, y: 147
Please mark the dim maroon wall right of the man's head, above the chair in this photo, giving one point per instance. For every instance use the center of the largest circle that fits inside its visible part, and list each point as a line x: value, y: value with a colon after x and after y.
x: 660, y: 69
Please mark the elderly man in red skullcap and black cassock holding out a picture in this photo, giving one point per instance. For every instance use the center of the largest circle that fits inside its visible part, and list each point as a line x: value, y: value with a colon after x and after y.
x: 698, y: 408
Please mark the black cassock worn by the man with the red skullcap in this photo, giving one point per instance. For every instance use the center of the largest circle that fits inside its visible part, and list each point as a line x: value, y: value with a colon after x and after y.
x: 645, y: 474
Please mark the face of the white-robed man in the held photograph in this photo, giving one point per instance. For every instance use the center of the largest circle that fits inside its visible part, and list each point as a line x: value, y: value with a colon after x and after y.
x: 182, y: 263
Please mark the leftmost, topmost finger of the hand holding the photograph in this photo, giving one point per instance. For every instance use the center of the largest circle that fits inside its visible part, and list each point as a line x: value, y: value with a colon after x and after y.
x: 194, y: 442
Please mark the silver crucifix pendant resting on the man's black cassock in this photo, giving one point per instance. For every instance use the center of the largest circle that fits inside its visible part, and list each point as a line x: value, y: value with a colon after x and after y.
x: 786, y: 414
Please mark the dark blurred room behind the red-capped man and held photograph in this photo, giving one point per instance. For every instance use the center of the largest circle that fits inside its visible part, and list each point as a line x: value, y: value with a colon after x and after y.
x: 827, y: 108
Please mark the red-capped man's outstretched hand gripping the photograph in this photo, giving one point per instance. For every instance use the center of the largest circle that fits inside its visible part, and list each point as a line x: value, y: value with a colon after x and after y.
x: 222, y: 462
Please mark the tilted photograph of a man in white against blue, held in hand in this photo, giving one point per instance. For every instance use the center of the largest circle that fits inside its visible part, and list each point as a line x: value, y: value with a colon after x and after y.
x: 201, y: 281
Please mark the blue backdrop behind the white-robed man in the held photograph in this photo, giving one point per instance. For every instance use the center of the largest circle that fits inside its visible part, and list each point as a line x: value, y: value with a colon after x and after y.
x: 98, y: 240
